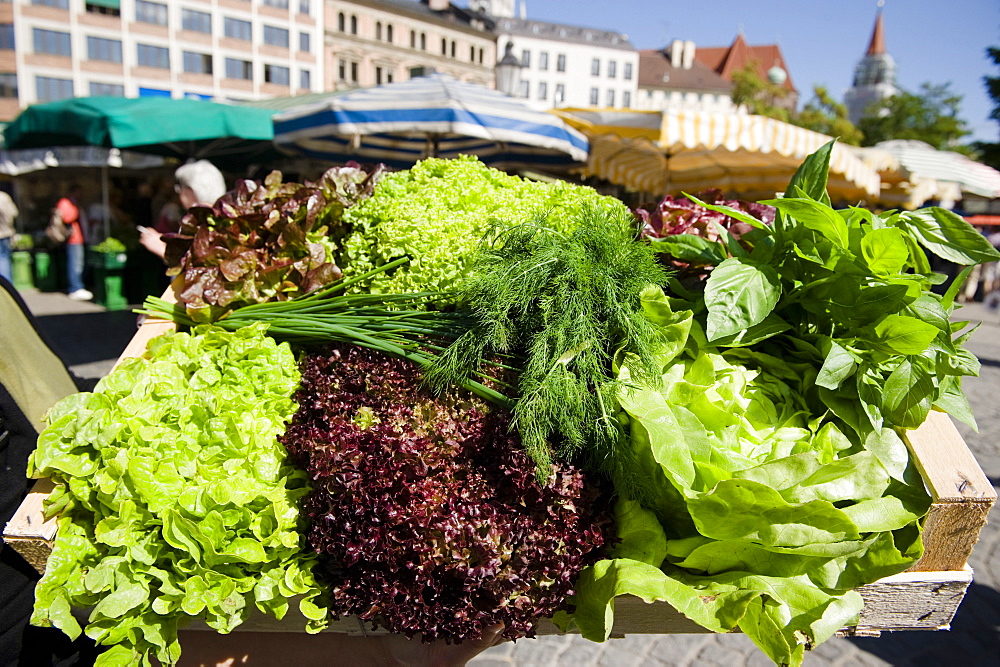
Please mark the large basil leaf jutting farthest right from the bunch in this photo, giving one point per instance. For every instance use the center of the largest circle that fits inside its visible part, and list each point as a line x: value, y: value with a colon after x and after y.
x: 948, y: 236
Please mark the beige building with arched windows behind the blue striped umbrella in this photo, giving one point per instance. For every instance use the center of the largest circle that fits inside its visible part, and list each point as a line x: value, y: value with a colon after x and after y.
x: 371, y: 42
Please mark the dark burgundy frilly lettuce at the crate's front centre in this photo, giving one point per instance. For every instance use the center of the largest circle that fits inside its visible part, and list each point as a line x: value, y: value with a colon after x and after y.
x: 427, y: 515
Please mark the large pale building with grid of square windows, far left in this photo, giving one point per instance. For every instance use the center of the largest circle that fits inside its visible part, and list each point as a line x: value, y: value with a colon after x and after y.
x: 211, y: 49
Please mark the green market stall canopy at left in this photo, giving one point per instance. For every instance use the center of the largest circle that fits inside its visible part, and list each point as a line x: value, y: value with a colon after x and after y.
x: 183, y: 128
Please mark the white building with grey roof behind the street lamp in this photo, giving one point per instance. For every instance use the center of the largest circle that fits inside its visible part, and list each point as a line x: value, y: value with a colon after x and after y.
x: 570, y: 66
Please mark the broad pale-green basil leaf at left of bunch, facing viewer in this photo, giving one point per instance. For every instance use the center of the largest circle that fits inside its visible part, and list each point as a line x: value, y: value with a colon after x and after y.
x: 739, y: 293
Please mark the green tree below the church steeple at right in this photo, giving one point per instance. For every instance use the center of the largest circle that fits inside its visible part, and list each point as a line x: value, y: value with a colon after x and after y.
x: 930, y: 116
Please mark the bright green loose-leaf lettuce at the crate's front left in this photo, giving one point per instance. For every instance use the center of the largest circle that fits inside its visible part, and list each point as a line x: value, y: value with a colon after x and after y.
x: 175, y: 499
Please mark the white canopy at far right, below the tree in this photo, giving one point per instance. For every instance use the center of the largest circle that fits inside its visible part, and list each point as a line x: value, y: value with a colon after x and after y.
x: 922, y: 161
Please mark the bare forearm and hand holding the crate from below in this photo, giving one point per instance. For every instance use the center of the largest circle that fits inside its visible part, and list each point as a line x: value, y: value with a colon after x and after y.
x: 280, y: 649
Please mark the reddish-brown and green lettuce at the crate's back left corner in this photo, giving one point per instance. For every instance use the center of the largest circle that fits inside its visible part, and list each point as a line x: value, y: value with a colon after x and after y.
x: 264, y: 241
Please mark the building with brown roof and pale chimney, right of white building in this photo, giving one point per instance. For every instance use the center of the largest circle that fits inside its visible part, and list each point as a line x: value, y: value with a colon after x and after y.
x: 672, y: 78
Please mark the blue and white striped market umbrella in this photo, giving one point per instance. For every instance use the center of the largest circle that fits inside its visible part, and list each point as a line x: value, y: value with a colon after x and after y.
x: 436, y: 115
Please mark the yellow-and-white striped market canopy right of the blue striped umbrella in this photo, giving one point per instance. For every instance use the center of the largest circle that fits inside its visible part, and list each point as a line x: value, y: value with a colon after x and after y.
x: 669, y: 152
